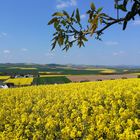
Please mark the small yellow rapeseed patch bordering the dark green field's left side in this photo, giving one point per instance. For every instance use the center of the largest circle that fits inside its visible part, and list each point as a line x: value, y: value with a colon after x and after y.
x: 20, y: 81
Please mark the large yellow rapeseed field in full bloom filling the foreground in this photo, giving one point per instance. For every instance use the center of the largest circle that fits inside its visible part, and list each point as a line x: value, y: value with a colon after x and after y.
x: 90, y: 111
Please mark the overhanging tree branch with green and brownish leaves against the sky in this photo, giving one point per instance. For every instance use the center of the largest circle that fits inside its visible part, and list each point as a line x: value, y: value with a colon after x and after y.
x: 70, y: 31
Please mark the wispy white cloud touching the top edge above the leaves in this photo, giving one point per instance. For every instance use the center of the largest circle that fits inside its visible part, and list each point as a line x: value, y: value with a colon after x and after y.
x: 63, y: 4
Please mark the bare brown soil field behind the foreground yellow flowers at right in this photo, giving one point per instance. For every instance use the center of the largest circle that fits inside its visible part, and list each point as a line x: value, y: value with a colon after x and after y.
x: 78, y: 78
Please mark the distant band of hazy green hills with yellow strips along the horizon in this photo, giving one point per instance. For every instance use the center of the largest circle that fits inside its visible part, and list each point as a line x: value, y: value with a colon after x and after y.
x: 55, y: 69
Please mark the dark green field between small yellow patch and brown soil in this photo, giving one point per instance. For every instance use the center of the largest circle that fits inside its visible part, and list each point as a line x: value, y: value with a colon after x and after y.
x: 51, y: 80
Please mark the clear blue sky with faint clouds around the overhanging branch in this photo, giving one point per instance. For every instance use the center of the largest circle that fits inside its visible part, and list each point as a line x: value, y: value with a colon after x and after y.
x: 25, y: 36
